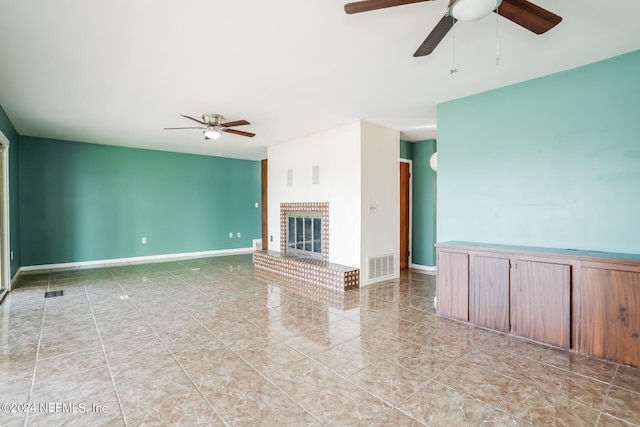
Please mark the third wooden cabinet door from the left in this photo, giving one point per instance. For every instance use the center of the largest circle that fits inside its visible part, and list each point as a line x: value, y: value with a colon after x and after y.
x: 540, y: 302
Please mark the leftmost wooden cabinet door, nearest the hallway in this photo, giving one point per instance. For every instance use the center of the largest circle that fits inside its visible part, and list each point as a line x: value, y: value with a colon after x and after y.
x: 452, y: 285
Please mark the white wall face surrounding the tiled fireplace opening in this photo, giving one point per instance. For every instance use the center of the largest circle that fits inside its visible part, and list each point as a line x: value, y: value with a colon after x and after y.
x: 337, y: 153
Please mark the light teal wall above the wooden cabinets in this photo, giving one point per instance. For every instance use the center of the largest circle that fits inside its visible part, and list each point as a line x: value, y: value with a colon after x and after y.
x: 551, y: 162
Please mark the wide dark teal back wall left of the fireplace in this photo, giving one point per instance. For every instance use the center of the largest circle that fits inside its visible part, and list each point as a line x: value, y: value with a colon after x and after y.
x: 83, y: 202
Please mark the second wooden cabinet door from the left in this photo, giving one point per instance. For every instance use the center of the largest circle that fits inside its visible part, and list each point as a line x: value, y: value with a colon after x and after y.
x: 489, y: 293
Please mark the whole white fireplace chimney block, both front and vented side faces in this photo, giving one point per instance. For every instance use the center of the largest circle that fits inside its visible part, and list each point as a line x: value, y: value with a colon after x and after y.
x: 359, y: 168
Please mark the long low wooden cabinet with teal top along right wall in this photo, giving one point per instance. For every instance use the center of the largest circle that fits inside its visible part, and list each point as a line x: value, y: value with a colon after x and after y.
x: 587, y: 302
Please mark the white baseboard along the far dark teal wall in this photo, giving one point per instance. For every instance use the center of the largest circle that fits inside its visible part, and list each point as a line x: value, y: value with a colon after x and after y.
x: 30, y: 269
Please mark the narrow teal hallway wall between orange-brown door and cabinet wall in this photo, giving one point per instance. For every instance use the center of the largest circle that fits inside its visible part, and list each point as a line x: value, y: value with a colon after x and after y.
x: 423, y: 209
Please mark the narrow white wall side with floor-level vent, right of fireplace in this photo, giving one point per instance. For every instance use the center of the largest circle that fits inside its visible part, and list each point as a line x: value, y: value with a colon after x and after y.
x: 380, y: 159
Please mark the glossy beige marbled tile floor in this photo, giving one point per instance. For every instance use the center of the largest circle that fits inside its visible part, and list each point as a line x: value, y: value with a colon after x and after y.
x: 213, y: 342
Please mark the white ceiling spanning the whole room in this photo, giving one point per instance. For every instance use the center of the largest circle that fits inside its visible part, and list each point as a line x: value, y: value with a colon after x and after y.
x: 116, y: 72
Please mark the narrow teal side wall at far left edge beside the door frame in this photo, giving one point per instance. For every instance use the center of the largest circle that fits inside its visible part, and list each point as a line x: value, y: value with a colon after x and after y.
x: 14, y: 207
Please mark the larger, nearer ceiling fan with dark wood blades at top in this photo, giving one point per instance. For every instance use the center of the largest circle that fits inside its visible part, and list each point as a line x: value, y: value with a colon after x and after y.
x: 522, y: 12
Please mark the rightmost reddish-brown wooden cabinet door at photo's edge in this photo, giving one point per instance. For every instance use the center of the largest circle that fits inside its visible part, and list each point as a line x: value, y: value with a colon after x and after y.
x: 610, y: 315
